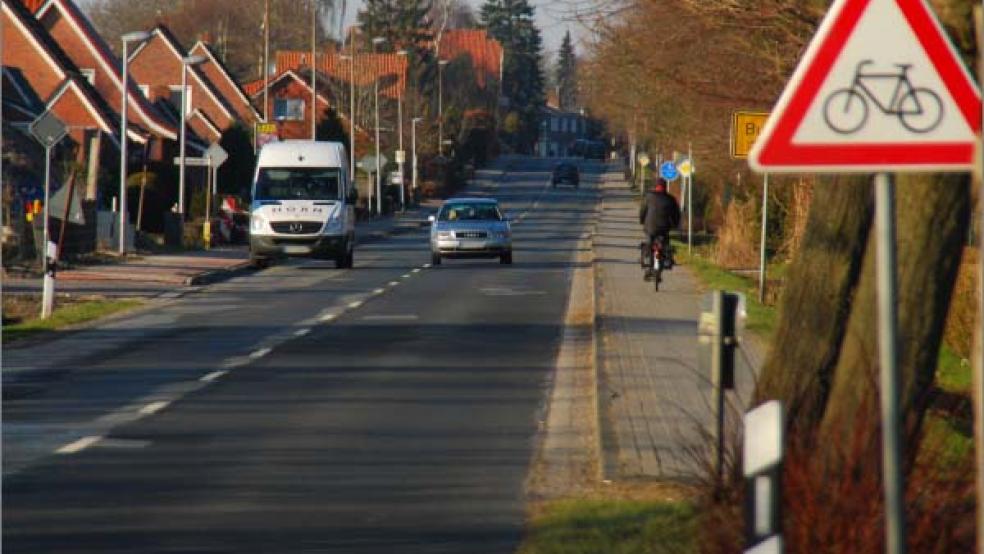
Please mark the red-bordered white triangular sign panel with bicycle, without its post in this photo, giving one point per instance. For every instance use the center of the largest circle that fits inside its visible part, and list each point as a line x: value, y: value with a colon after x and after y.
x: 880, y: 88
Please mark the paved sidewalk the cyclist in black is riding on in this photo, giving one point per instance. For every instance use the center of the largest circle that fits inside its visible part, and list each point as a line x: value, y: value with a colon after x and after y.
x: 654, y: 397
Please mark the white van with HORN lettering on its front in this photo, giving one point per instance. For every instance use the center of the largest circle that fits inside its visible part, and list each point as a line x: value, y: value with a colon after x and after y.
x: 303, y: 203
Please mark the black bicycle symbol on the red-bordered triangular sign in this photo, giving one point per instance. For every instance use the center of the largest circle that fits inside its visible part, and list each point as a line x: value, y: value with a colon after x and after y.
x: 919, y: 109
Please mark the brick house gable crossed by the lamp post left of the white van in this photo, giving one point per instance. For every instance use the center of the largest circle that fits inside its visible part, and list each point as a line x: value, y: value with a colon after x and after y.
x: 156, y: 67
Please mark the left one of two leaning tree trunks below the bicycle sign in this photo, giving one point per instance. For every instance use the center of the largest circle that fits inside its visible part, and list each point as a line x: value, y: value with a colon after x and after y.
x: 816, y: 302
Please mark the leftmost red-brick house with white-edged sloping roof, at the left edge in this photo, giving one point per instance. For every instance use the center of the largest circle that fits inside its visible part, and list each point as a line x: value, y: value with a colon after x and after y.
x: 39, y: 76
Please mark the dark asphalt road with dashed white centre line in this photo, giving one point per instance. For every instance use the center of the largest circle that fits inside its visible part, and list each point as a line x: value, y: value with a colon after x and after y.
x: 389, y: 408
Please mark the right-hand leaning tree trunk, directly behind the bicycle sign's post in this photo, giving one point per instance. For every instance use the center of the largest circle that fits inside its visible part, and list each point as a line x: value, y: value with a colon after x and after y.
x: 933, y: 215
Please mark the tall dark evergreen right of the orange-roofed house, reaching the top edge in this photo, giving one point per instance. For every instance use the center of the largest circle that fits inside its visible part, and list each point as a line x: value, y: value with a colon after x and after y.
x: 511, y: 23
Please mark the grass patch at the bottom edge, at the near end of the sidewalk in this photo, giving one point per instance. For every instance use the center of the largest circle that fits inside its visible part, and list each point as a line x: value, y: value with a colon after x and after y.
x: 609, y: 526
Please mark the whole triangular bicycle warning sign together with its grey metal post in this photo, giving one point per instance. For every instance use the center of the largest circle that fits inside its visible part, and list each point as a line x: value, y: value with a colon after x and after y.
x: 834, y: 118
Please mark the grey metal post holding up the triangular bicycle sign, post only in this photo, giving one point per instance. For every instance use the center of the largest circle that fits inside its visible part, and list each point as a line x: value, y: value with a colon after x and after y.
x: 888, y: 362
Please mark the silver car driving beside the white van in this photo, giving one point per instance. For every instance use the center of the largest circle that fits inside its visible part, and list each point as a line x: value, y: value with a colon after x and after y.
x: 470, y: 228
